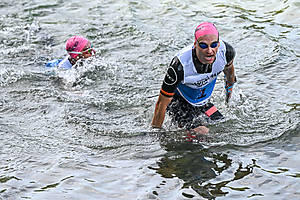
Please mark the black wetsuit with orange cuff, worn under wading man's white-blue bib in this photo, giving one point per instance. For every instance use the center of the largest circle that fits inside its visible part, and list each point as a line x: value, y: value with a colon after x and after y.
x: 182, y: 112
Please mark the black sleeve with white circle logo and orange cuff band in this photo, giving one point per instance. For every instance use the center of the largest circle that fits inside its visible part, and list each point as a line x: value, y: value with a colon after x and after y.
x: 173, y: 76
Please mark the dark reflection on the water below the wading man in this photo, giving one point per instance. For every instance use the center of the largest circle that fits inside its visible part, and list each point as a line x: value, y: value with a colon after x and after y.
x: 196, y: 166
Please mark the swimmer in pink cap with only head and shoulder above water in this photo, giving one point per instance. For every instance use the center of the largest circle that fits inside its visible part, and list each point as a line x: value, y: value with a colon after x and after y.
x: 78, y: 48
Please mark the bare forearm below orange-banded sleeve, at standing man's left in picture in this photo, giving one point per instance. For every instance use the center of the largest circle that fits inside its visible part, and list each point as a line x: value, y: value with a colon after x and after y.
x: 160, y: 110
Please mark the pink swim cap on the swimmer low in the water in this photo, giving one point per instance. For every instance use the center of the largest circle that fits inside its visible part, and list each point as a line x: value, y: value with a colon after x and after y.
x: 76, y: 44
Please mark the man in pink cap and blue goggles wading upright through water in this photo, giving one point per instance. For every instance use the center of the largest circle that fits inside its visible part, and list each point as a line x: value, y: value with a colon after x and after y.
x: 190, y: 80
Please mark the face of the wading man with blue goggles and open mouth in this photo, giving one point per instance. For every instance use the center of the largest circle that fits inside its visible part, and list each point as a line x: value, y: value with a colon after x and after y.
x: 206, y: 48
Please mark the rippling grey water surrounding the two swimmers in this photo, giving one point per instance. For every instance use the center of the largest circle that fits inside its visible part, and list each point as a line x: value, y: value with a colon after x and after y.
x: 85, y: 134
